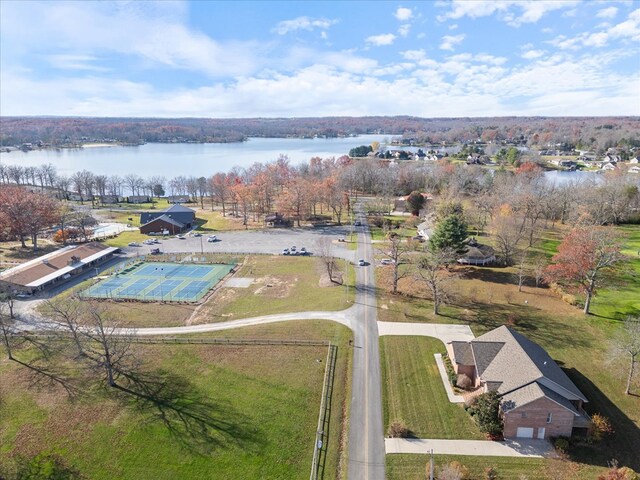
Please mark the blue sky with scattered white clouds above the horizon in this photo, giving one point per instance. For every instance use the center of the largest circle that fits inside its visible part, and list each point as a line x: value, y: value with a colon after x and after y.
x: 305, y: 59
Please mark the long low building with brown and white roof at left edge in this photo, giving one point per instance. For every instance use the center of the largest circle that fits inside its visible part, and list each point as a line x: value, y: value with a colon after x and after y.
x: 55, y: 267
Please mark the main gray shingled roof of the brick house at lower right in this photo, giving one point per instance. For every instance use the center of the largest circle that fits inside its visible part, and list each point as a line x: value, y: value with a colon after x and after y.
x: 516, y: 361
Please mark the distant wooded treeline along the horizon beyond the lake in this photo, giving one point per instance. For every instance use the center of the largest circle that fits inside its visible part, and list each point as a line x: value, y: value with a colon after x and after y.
x: 578, y: 132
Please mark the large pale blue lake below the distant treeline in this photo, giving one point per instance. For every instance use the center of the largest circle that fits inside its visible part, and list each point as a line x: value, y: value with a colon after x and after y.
x: 197, y: 159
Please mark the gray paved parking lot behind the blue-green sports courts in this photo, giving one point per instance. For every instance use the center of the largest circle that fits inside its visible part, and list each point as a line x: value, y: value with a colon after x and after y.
x: 271, y: 241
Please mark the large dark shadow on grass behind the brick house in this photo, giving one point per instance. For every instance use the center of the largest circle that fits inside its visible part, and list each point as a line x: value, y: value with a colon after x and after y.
x: 623, y: 445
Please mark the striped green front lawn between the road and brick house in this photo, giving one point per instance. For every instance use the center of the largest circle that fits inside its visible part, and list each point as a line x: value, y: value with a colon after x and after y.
x: 413, y: 391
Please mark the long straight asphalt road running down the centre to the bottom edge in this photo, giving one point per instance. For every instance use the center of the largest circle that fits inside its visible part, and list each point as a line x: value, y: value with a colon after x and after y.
x: 366, y: 436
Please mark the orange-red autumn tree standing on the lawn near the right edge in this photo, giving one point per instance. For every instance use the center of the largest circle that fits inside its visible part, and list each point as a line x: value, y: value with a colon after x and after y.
x: 582, y: 258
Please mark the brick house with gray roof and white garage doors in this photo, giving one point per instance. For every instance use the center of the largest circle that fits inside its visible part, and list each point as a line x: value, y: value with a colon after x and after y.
x: 538, y: 400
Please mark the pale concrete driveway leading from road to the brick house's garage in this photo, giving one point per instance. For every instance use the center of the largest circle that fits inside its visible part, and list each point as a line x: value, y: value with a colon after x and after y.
x: 487, y: 448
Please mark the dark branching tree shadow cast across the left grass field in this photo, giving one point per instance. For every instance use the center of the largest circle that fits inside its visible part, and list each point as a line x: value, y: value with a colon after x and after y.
x: 198, y: 422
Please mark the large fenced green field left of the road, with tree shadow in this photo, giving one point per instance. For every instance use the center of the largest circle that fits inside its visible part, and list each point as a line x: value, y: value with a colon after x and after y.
x: 194, y: 411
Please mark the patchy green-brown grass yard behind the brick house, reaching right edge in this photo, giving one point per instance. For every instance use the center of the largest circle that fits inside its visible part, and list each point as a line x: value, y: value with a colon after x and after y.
x: 486, y: 298
